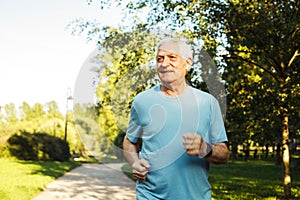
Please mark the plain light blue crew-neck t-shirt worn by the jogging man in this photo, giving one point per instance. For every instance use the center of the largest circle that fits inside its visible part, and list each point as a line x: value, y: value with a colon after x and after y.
x: 161, y: 121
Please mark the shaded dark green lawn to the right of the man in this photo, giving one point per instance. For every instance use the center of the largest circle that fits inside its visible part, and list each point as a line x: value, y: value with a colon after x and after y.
x: 255, y: 179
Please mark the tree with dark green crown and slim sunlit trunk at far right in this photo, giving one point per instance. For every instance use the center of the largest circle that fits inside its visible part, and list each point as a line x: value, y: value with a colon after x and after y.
x: 265, y: 35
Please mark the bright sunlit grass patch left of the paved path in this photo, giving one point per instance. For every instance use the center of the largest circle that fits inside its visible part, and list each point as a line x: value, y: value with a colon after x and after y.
x: 25, y: 179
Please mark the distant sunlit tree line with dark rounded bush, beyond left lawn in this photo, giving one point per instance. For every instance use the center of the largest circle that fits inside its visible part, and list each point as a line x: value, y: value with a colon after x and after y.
x: 37, y: 133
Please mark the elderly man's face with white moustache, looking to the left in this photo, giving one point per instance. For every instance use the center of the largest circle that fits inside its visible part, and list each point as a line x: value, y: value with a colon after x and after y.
x: 171, y: 66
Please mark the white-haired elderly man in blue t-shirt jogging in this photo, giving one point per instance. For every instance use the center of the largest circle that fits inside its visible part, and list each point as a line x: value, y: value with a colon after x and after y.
x: 181, y: 128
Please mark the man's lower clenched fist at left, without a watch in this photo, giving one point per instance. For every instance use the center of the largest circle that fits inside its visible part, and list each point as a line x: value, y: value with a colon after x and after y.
x: 140, y: 169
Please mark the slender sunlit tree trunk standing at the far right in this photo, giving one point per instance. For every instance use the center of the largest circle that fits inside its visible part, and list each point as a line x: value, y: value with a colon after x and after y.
x: 286, y: 157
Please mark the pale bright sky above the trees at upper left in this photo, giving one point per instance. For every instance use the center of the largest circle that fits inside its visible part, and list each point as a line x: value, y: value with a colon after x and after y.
x: 39, y: 59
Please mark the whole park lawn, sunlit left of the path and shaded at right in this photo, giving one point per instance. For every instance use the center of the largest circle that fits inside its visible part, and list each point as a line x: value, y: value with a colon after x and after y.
x: 236, y: 180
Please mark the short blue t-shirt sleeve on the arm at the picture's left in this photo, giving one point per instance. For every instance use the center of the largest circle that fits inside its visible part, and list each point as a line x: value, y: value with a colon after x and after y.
x: 134, y: 129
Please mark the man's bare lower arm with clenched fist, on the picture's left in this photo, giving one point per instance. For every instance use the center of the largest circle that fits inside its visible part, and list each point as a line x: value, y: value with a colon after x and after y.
x: 139, y: 166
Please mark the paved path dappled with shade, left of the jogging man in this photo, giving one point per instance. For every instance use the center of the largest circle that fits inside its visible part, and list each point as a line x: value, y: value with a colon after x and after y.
x: 90, y: 182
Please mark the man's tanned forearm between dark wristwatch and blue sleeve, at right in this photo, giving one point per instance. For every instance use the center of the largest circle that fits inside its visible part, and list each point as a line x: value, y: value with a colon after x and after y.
x: 219, y: 155
